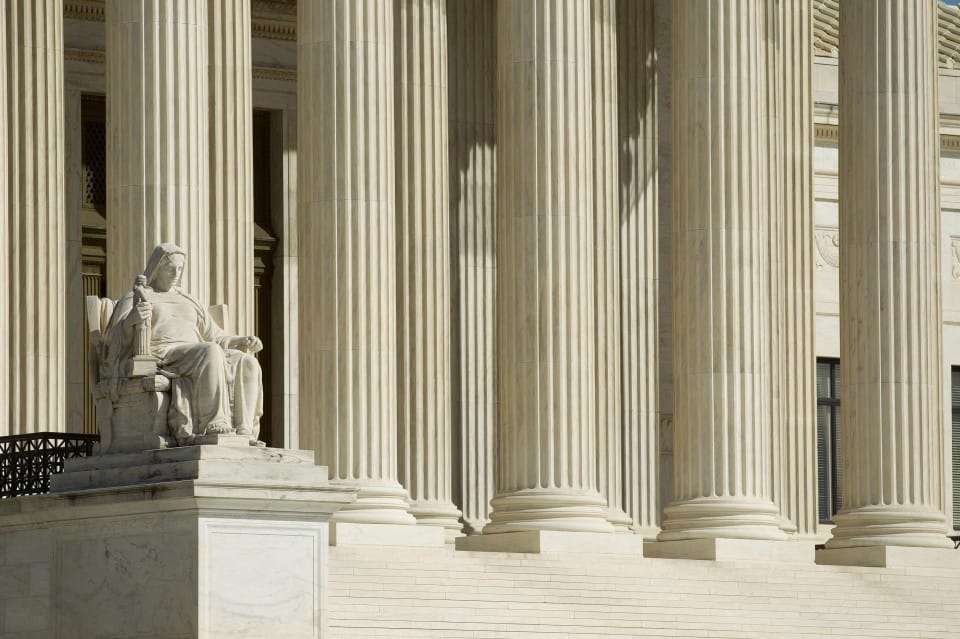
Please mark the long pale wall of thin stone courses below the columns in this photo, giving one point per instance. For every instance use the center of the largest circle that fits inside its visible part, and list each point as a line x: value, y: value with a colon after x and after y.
x: 406, y: 593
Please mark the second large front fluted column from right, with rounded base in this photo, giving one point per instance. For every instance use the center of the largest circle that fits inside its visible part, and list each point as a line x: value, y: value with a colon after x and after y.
x: 721, y: 296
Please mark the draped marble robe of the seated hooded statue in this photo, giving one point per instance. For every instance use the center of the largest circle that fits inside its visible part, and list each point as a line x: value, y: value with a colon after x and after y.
x: 213, y: 388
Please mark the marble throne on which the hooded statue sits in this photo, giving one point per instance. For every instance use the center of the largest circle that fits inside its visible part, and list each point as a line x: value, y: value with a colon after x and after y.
x: 131, y: 411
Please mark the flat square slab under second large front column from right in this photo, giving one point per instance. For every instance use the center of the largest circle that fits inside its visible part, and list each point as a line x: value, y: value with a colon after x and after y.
x: 720, y: 549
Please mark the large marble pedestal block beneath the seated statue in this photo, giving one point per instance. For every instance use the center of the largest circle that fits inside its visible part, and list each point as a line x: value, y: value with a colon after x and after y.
x: 203, y: 542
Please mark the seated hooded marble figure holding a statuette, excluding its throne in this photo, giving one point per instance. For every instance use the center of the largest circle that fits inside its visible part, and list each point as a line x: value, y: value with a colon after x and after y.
x: 159, y: 329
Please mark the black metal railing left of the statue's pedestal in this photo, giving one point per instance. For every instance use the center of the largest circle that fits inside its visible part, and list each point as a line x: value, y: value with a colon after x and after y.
x: 27, y: 461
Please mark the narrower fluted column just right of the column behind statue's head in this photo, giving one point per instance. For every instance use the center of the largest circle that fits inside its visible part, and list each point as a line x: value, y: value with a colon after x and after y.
x: 231, y: 160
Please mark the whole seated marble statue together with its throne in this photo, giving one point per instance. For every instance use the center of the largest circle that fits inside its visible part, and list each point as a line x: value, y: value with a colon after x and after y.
x: 161, y: 341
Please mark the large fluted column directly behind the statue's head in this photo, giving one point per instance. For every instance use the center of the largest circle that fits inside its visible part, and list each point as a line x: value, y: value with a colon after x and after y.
x: 157, y: 138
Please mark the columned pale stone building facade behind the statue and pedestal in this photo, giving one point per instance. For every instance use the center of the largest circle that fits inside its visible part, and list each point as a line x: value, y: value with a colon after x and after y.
x: 526, y: 266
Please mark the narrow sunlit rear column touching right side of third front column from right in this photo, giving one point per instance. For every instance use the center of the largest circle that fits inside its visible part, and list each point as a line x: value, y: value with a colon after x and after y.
x: 607, y: 247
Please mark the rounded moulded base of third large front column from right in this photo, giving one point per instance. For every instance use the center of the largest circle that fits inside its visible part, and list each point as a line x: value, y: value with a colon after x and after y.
x: 548, y: 509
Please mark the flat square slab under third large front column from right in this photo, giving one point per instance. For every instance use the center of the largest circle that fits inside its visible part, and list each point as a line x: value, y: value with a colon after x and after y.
x: 552, y: 541
